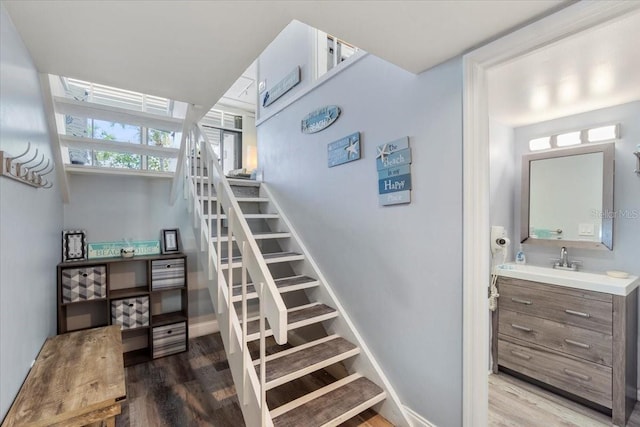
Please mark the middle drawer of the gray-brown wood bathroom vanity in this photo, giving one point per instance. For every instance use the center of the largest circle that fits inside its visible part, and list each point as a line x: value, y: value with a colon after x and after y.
x: 583, y: 343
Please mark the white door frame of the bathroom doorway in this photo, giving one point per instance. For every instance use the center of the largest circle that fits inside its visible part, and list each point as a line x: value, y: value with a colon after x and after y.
x: 569, y: 21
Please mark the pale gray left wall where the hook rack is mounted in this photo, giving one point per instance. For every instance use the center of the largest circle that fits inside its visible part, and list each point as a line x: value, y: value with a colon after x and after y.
x: 30, y: 222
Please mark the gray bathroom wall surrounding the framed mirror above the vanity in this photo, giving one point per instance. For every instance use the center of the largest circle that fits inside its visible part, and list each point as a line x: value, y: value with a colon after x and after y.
x: 626, y: 234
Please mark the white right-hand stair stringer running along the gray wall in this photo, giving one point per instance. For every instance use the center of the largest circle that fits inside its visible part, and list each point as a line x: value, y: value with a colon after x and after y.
x: 365, y: 364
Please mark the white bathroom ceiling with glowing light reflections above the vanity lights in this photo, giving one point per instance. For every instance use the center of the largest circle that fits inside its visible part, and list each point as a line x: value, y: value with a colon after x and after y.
x: 594, y: 69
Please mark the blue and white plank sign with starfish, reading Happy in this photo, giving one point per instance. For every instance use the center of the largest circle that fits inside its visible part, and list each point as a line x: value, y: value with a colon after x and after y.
x: 393, y: 161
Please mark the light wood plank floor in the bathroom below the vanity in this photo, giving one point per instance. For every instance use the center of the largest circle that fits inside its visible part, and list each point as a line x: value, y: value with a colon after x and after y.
x: 515, y: 403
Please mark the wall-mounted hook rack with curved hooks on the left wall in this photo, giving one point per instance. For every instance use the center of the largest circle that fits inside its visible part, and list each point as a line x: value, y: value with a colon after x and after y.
x: 27, y: 172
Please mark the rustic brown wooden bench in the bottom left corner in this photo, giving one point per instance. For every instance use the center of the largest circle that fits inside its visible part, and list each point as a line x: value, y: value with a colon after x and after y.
x: 77, y: 380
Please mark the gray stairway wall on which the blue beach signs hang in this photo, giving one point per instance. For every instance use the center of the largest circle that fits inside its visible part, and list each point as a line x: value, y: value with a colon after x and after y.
x: 397, y: 270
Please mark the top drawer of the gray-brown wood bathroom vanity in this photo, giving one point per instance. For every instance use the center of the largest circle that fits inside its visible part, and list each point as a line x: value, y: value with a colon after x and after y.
x: 545, y: 302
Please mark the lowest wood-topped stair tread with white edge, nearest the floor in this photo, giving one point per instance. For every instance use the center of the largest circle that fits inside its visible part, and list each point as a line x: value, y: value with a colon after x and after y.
x: 334, y: 407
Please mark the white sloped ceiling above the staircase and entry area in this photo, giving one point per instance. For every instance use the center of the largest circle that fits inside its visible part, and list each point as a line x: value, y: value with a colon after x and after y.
x: 194, y: 51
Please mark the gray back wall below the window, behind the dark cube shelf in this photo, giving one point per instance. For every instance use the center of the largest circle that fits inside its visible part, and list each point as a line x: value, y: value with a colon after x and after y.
x: 111, y: 208
